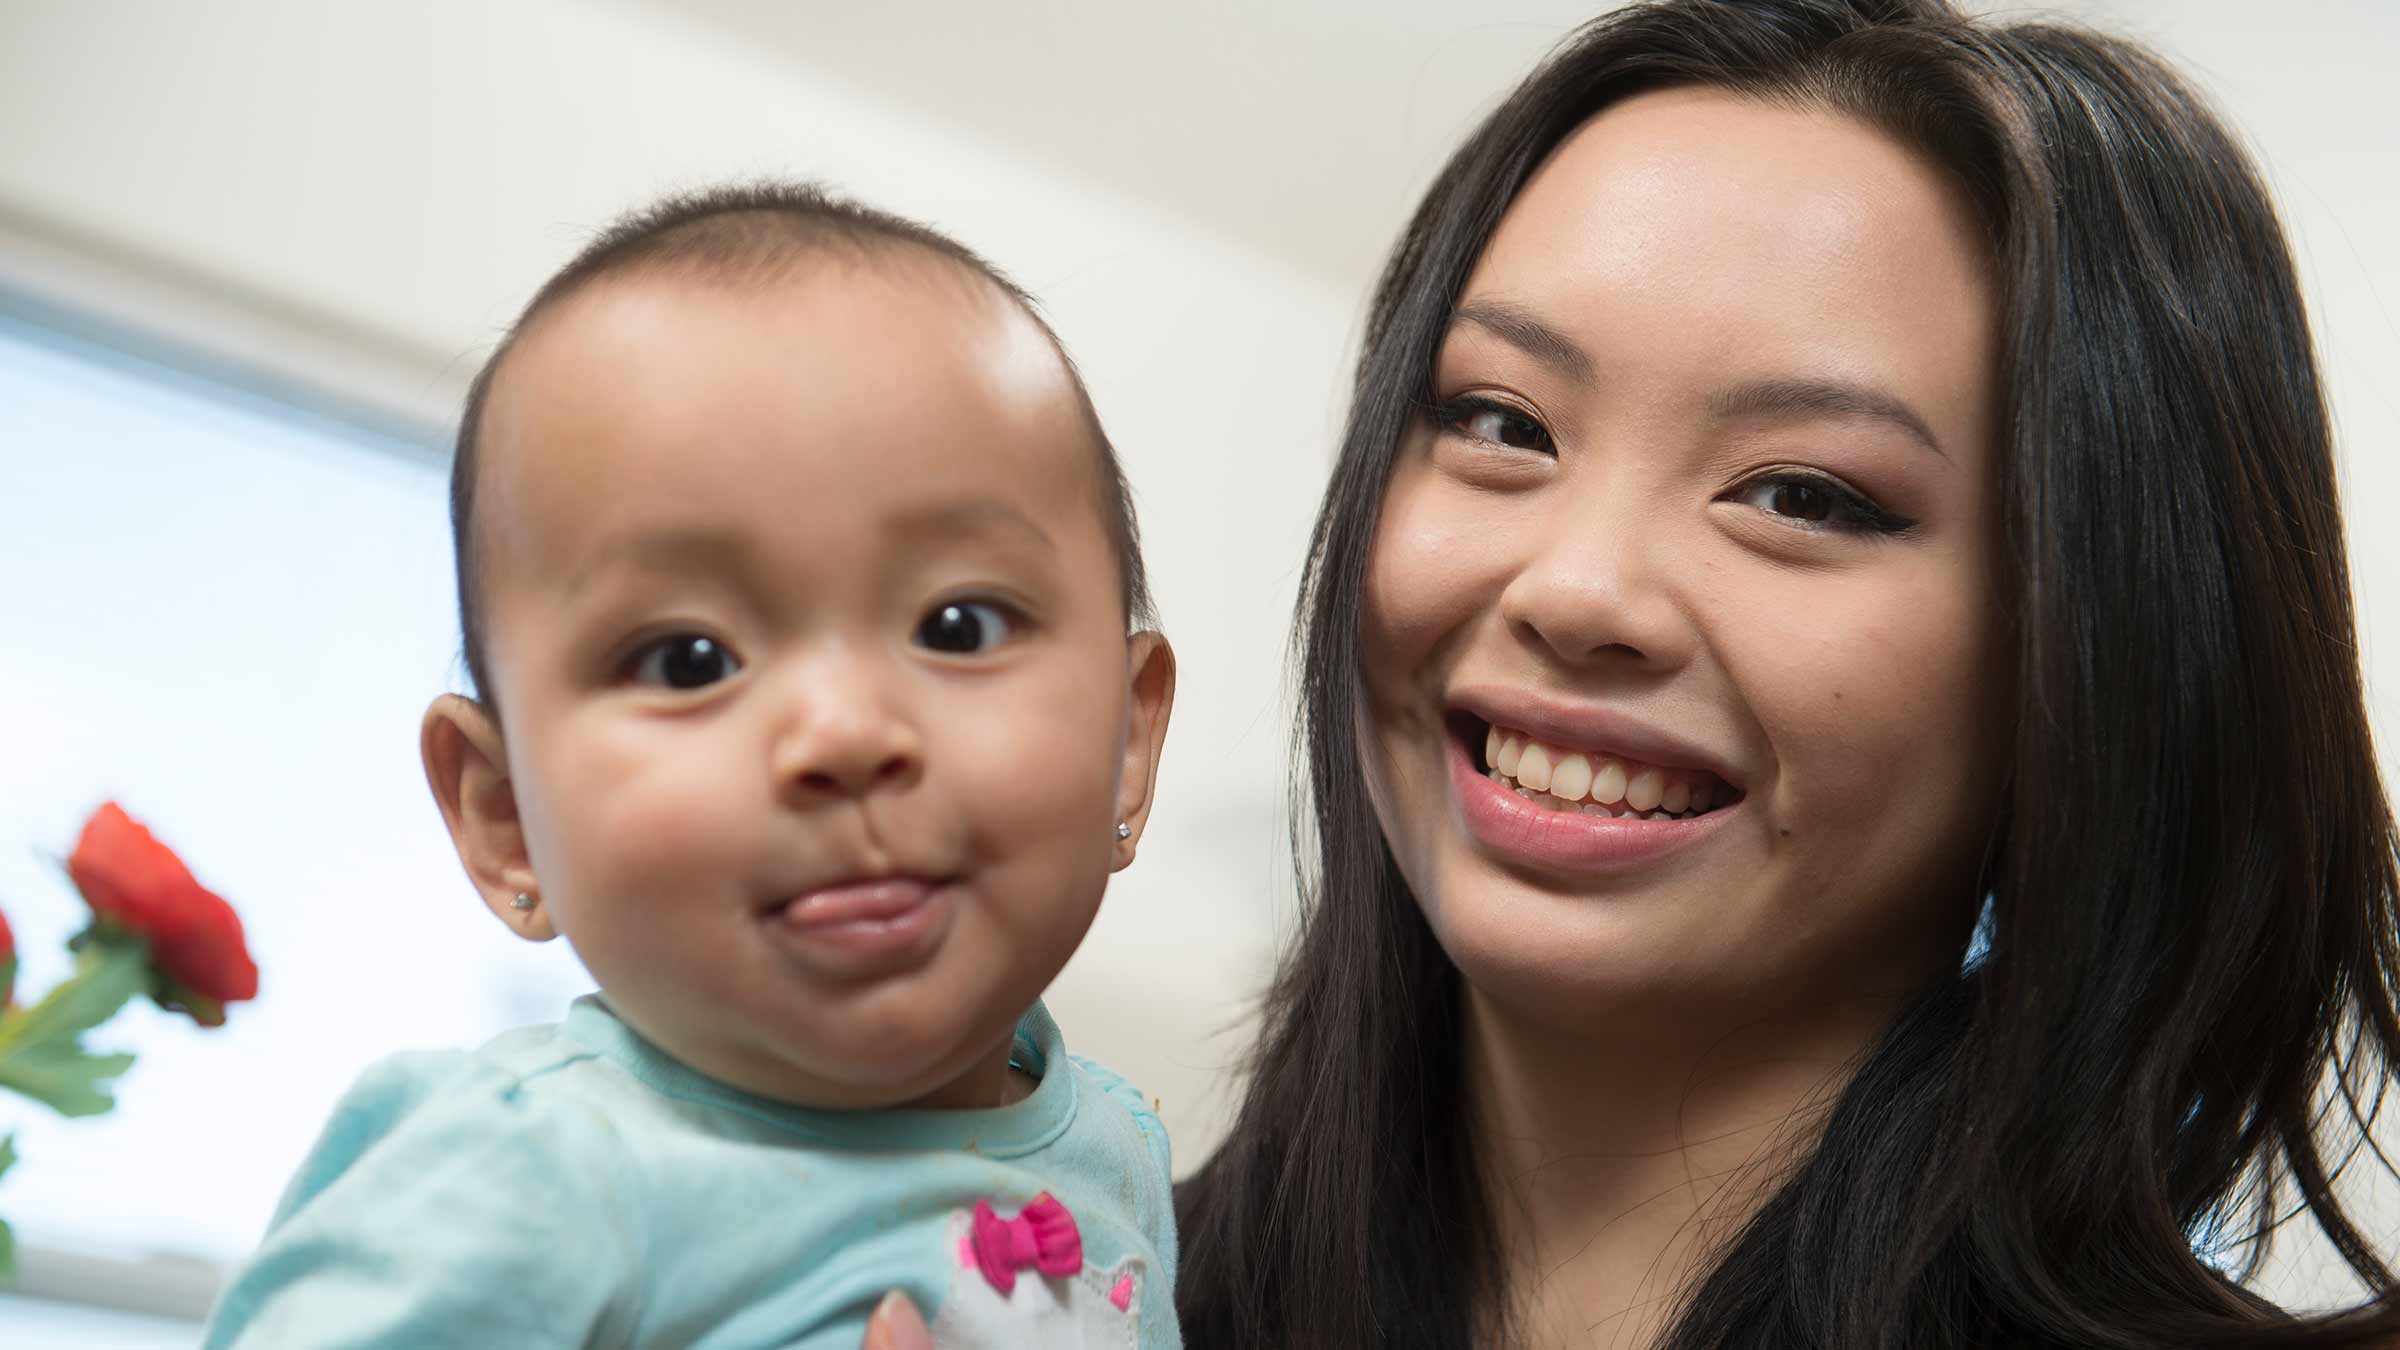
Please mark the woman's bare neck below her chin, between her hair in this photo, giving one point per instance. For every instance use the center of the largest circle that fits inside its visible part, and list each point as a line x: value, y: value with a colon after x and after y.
x: 1619, y: 1164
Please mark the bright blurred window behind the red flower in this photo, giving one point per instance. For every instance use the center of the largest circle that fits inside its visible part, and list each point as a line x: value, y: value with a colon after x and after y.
x: 229, y: 614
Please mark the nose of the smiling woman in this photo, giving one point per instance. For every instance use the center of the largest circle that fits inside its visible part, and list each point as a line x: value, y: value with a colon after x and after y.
x: 1597, y: 587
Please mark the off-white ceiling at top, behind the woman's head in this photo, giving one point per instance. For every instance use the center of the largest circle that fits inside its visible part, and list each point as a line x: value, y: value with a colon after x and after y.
x: 1309, y: 129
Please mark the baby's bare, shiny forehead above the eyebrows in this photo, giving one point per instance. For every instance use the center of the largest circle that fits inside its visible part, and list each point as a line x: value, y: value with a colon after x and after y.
x: 664, y: 376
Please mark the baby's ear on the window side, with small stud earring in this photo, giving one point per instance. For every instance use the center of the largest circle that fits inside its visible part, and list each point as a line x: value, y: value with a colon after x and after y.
x: 469, y: 772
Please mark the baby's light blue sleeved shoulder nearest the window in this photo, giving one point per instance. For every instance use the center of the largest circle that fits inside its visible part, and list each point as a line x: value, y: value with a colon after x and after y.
x: 450, y: 1190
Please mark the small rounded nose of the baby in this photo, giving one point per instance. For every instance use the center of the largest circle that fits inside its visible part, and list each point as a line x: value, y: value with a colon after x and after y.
x: 846, y: 734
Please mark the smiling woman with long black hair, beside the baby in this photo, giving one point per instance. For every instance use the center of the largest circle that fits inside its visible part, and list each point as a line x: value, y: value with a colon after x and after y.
x: 1825, y: 477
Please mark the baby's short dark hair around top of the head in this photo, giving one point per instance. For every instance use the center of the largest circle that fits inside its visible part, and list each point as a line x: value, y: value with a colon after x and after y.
x: 757, y: 229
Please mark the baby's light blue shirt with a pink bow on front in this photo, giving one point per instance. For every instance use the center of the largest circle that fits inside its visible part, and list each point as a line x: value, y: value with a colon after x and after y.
x: 575, y: 1185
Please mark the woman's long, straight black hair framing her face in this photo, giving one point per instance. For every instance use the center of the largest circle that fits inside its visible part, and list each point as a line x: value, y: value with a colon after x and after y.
x: 2188, y: 1003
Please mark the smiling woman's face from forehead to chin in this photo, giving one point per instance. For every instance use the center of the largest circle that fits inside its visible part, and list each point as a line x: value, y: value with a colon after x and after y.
x: 1686, y: 679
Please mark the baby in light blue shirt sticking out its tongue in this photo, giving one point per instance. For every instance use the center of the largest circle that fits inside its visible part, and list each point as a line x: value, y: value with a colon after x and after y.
x: 798, y: 580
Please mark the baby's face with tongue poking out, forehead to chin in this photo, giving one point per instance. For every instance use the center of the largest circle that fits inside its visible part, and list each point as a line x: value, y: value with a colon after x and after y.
x: 812, y: 667
